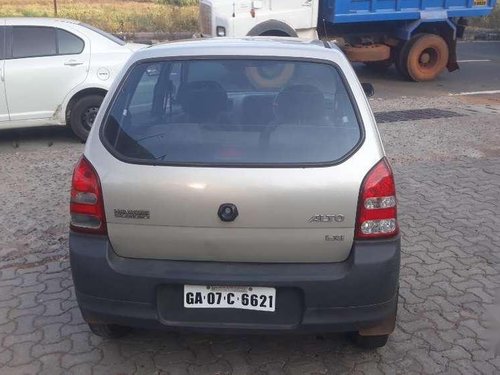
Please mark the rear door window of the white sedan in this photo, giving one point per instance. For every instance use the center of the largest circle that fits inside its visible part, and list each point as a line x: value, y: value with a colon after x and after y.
x: 33, y: 41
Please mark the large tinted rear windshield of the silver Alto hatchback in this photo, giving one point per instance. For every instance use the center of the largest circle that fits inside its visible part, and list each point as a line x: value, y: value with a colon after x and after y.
x: 232, y: 112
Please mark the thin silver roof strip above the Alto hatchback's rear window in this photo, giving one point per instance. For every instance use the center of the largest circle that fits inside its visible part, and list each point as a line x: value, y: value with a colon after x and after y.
x: 248, y: 46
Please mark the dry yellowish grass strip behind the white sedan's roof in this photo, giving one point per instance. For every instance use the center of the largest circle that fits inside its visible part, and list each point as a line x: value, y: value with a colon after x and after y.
x: 112, y: 15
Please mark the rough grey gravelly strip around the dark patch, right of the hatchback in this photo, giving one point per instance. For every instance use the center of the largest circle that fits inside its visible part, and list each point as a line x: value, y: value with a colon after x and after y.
x: 475, y: 134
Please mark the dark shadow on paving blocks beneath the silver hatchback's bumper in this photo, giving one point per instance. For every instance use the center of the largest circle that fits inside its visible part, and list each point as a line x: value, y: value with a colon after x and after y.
x: 257, y: 349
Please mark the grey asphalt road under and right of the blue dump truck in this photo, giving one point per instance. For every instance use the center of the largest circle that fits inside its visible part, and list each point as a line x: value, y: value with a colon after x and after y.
x: 472, y: 76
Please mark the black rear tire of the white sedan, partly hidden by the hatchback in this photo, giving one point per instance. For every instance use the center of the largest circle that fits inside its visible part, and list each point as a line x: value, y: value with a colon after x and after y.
x: 83, y: 113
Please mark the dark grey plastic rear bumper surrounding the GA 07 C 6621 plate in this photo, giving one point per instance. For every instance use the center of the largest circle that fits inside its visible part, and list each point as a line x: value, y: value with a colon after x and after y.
x: 358, y: 293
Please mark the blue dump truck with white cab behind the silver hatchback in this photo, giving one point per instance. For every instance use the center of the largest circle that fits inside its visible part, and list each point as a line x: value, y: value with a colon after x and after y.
x: 418, y: 36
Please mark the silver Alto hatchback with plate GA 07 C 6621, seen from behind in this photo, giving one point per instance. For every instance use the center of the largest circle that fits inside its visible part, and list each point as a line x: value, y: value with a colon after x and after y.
x: 236, y: 185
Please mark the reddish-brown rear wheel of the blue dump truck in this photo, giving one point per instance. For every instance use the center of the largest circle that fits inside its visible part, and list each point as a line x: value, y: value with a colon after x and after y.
x: 423, y: 57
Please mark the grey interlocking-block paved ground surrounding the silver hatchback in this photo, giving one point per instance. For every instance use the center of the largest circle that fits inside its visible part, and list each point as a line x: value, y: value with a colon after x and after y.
x: 448, y: 172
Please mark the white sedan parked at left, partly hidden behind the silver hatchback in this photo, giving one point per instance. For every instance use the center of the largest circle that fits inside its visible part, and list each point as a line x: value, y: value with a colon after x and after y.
x: 56, y: 72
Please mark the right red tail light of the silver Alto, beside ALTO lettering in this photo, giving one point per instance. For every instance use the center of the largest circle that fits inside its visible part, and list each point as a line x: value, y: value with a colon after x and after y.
x: 377, y: 205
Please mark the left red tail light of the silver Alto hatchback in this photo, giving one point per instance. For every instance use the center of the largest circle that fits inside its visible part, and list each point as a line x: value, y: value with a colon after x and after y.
x: 86, y: 207
